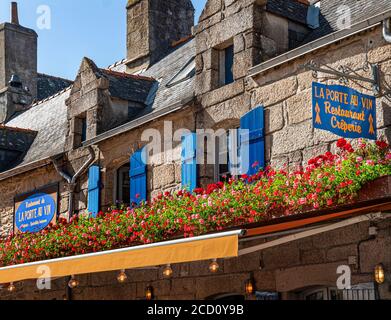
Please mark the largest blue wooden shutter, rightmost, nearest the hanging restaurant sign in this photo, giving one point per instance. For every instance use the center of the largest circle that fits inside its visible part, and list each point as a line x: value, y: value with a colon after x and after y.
x: 252, y: 142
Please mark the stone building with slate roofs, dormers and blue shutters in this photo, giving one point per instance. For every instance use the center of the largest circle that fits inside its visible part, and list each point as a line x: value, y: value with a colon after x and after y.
x: 244, y: 57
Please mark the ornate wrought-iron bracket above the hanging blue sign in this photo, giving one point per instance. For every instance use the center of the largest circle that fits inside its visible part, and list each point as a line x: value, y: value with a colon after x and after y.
x: 345, y: 73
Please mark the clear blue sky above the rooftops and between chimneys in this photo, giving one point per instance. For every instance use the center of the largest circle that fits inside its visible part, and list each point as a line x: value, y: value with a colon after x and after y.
x: 91, y: 28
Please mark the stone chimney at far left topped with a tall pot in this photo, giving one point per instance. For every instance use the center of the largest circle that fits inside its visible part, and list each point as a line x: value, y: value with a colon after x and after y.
x: 18, y: 68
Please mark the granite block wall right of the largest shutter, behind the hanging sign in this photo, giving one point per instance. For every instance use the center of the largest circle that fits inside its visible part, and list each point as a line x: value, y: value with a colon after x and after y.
x: 286, y: 94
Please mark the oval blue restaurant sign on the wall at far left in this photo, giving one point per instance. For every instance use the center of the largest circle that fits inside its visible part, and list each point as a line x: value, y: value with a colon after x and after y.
x: 35, y: 213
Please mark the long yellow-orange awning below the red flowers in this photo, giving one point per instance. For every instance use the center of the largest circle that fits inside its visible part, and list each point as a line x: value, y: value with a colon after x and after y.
x: 76, y: 265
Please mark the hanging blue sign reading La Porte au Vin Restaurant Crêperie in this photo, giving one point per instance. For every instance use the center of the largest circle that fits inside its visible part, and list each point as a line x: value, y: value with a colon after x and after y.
x: 344, y: 111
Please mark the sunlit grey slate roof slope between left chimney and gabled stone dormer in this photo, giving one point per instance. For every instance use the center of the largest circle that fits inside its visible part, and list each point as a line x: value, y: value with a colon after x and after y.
x: 49, y: 120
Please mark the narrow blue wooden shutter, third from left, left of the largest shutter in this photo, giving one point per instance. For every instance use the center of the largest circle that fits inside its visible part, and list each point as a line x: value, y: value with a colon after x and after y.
x: 189, y: 161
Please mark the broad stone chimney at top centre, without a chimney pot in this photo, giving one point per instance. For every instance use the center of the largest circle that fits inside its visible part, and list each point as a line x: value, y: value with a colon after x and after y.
x: 152, y: 26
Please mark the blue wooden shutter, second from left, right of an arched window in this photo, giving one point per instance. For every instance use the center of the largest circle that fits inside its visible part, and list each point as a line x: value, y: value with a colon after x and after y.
x: 138, y: 176
